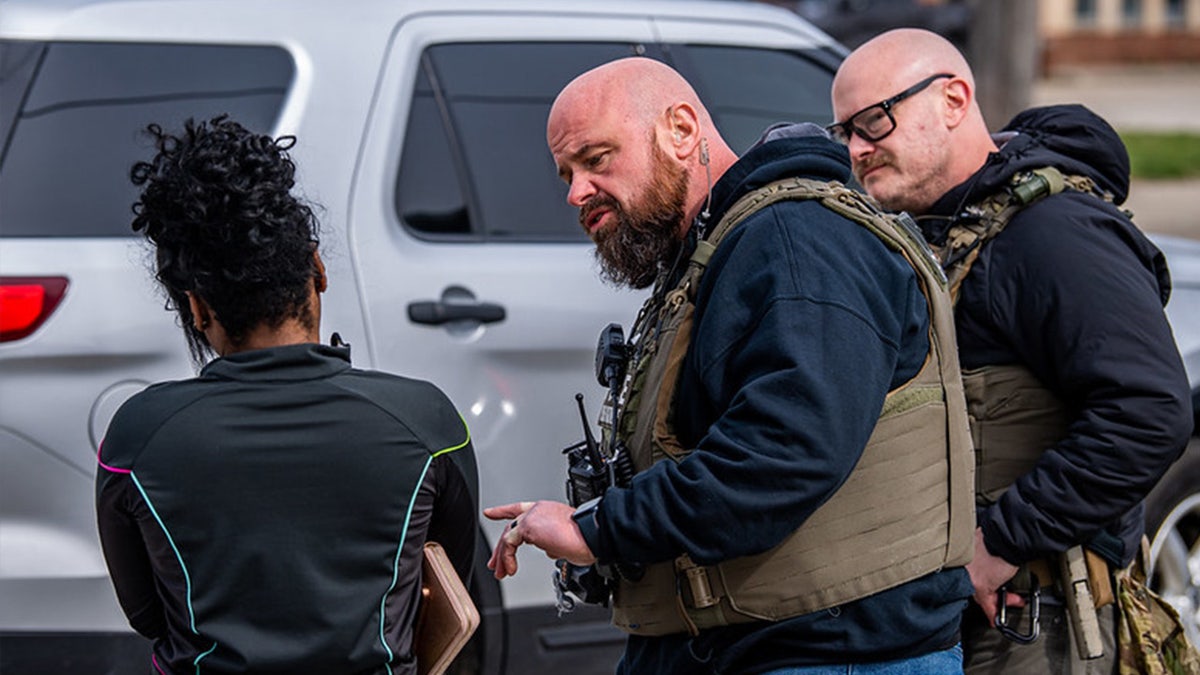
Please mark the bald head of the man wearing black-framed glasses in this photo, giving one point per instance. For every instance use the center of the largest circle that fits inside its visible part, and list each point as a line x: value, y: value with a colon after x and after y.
x: 927, y: 142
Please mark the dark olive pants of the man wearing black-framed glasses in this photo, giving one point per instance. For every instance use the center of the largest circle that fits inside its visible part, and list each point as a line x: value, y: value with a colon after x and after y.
x: 987, y: 653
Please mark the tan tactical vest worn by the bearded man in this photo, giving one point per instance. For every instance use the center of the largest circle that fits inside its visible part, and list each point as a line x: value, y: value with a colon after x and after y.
x: 905, y: 511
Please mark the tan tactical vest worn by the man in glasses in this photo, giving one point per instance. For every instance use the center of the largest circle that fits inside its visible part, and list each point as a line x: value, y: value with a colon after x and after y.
x: 1015, y: 419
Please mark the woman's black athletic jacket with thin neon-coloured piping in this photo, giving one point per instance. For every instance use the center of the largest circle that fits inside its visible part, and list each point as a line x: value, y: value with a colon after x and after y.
x: 269, y: 516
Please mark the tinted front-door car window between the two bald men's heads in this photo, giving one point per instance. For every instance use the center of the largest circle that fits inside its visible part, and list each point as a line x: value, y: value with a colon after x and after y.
x: 747, y: 89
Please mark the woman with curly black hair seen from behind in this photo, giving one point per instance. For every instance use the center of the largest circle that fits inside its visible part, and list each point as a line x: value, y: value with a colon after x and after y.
x: 269, y: 515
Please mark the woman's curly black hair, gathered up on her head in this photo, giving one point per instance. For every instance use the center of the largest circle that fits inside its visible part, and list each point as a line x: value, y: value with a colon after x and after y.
x: 217, y: 206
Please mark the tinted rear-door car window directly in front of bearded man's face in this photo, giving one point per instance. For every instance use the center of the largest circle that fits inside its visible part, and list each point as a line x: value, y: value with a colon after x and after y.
x: 475, y: 162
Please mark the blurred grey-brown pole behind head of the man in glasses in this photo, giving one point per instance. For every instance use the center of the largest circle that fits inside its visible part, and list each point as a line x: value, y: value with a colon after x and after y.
x: 1004, y: 50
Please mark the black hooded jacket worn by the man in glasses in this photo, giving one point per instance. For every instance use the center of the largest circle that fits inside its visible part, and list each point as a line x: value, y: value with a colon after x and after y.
x: 1073, y: 291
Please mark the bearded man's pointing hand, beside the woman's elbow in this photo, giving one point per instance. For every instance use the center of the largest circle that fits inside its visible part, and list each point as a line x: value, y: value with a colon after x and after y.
x: 547, y: 525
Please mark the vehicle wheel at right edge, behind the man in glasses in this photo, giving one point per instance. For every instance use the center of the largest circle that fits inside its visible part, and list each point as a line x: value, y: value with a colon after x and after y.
x: 1173, y: 524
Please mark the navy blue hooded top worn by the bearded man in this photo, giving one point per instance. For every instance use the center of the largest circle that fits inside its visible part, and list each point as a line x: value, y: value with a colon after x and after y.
x: 805, y: 322
